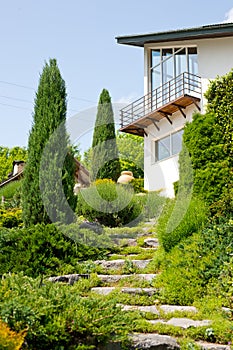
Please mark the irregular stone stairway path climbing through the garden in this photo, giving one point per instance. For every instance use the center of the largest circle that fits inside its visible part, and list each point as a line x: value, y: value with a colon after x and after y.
x: 149, y: 341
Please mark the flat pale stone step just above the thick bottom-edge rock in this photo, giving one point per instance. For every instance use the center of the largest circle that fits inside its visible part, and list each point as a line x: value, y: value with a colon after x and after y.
x: 182, y: 322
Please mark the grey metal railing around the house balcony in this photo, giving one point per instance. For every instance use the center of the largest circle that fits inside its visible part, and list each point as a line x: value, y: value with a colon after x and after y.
x: 185, y: 84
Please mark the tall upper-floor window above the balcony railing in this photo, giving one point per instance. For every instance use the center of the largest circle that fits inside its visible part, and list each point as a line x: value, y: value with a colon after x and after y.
x: 168, y: 63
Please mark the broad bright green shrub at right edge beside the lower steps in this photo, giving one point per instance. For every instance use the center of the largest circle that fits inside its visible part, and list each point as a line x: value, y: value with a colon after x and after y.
x: 198, y: 265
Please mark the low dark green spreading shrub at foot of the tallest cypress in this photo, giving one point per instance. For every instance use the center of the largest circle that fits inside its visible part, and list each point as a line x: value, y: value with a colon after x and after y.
x: 43, y: 249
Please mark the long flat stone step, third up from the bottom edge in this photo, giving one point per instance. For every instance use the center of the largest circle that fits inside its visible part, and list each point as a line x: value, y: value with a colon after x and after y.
x: 154, y: 309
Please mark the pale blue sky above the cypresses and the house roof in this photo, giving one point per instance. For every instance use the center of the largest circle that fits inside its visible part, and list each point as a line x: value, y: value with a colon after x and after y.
x: 81, y: 36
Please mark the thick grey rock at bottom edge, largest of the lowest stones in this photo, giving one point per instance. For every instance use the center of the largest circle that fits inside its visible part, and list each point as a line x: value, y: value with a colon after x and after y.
x: 153, y: 342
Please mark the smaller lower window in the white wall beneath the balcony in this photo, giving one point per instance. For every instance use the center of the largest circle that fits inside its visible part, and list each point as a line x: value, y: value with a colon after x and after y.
x: 168, y: 146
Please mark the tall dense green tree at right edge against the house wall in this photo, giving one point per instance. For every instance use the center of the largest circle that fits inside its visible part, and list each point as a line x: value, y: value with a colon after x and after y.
x: 209, y: 142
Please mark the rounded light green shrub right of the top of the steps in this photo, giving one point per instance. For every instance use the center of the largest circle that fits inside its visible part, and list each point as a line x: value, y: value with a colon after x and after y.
x: 179, y: 220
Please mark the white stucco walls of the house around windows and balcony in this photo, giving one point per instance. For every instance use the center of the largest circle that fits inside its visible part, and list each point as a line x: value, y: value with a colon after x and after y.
x: 215, y: 57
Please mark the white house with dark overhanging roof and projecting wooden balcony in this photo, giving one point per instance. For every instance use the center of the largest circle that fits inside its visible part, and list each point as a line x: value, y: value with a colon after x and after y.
x: 178, y: 66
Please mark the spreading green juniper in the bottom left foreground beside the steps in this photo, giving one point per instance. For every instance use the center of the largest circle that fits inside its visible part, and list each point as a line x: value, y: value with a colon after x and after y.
x: 58, y: 316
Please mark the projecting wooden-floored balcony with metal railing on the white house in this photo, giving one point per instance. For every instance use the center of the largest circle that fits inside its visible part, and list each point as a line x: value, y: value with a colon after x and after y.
x: 173, y: 96
